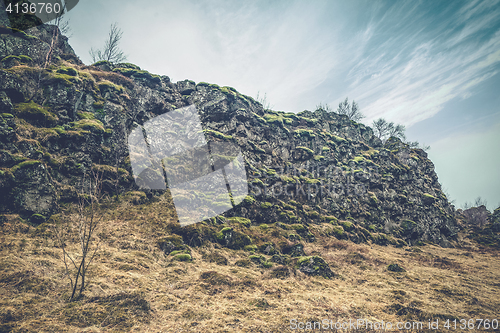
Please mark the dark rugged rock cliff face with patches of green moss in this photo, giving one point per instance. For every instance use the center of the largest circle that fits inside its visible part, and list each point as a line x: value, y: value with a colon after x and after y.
x: 62, y: 118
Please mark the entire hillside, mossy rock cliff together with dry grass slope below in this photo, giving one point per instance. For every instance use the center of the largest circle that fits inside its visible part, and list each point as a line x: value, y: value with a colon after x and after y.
x: 335, y: 225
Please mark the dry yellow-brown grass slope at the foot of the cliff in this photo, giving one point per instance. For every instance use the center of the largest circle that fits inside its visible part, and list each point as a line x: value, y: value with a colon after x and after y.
x: 136, y: 287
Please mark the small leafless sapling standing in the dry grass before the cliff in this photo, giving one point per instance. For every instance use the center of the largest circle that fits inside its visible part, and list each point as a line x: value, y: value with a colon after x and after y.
x: 82, y: 230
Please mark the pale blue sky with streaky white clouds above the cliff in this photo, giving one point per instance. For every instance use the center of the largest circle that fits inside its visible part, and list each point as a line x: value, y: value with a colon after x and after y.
x: 433, y: 66
